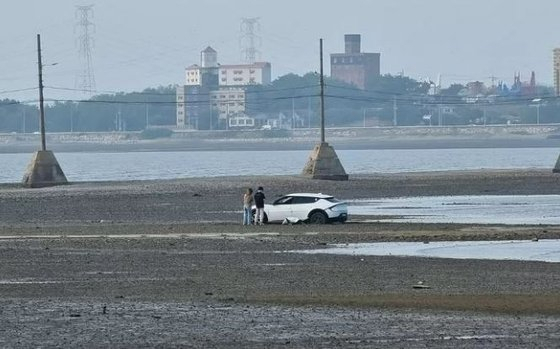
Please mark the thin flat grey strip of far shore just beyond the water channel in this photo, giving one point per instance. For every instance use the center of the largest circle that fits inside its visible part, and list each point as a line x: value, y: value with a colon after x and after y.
x: 286, y: 144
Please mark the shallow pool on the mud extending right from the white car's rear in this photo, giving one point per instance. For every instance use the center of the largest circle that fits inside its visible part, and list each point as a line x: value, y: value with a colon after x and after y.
x: 507, y: 209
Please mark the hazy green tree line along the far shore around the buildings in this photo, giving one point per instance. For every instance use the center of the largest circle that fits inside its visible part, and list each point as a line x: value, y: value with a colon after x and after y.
x: 386, y: 100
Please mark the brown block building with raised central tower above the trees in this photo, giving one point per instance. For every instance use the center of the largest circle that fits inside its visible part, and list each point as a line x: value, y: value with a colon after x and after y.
x: 353, y: 66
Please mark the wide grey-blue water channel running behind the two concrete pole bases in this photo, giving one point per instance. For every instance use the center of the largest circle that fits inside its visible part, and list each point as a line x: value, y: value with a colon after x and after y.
x: 184, y: 164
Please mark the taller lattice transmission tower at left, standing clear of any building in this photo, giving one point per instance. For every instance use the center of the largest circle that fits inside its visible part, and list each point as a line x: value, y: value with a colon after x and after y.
x: 85, y: 79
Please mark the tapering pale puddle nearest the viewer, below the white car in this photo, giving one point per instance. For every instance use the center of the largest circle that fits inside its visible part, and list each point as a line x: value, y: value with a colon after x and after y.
x: 524, y: 250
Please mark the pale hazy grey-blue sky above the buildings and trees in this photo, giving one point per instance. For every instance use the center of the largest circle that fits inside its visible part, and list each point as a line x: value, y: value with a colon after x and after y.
x: 141, y: 44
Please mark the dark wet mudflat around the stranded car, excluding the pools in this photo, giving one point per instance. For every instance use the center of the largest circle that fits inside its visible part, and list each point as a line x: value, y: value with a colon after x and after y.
x: 168, y: 264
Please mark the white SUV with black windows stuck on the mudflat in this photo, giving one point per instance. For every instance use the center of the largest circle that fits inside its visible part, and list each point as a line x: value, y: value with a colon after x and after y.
x: 307, y: 207
